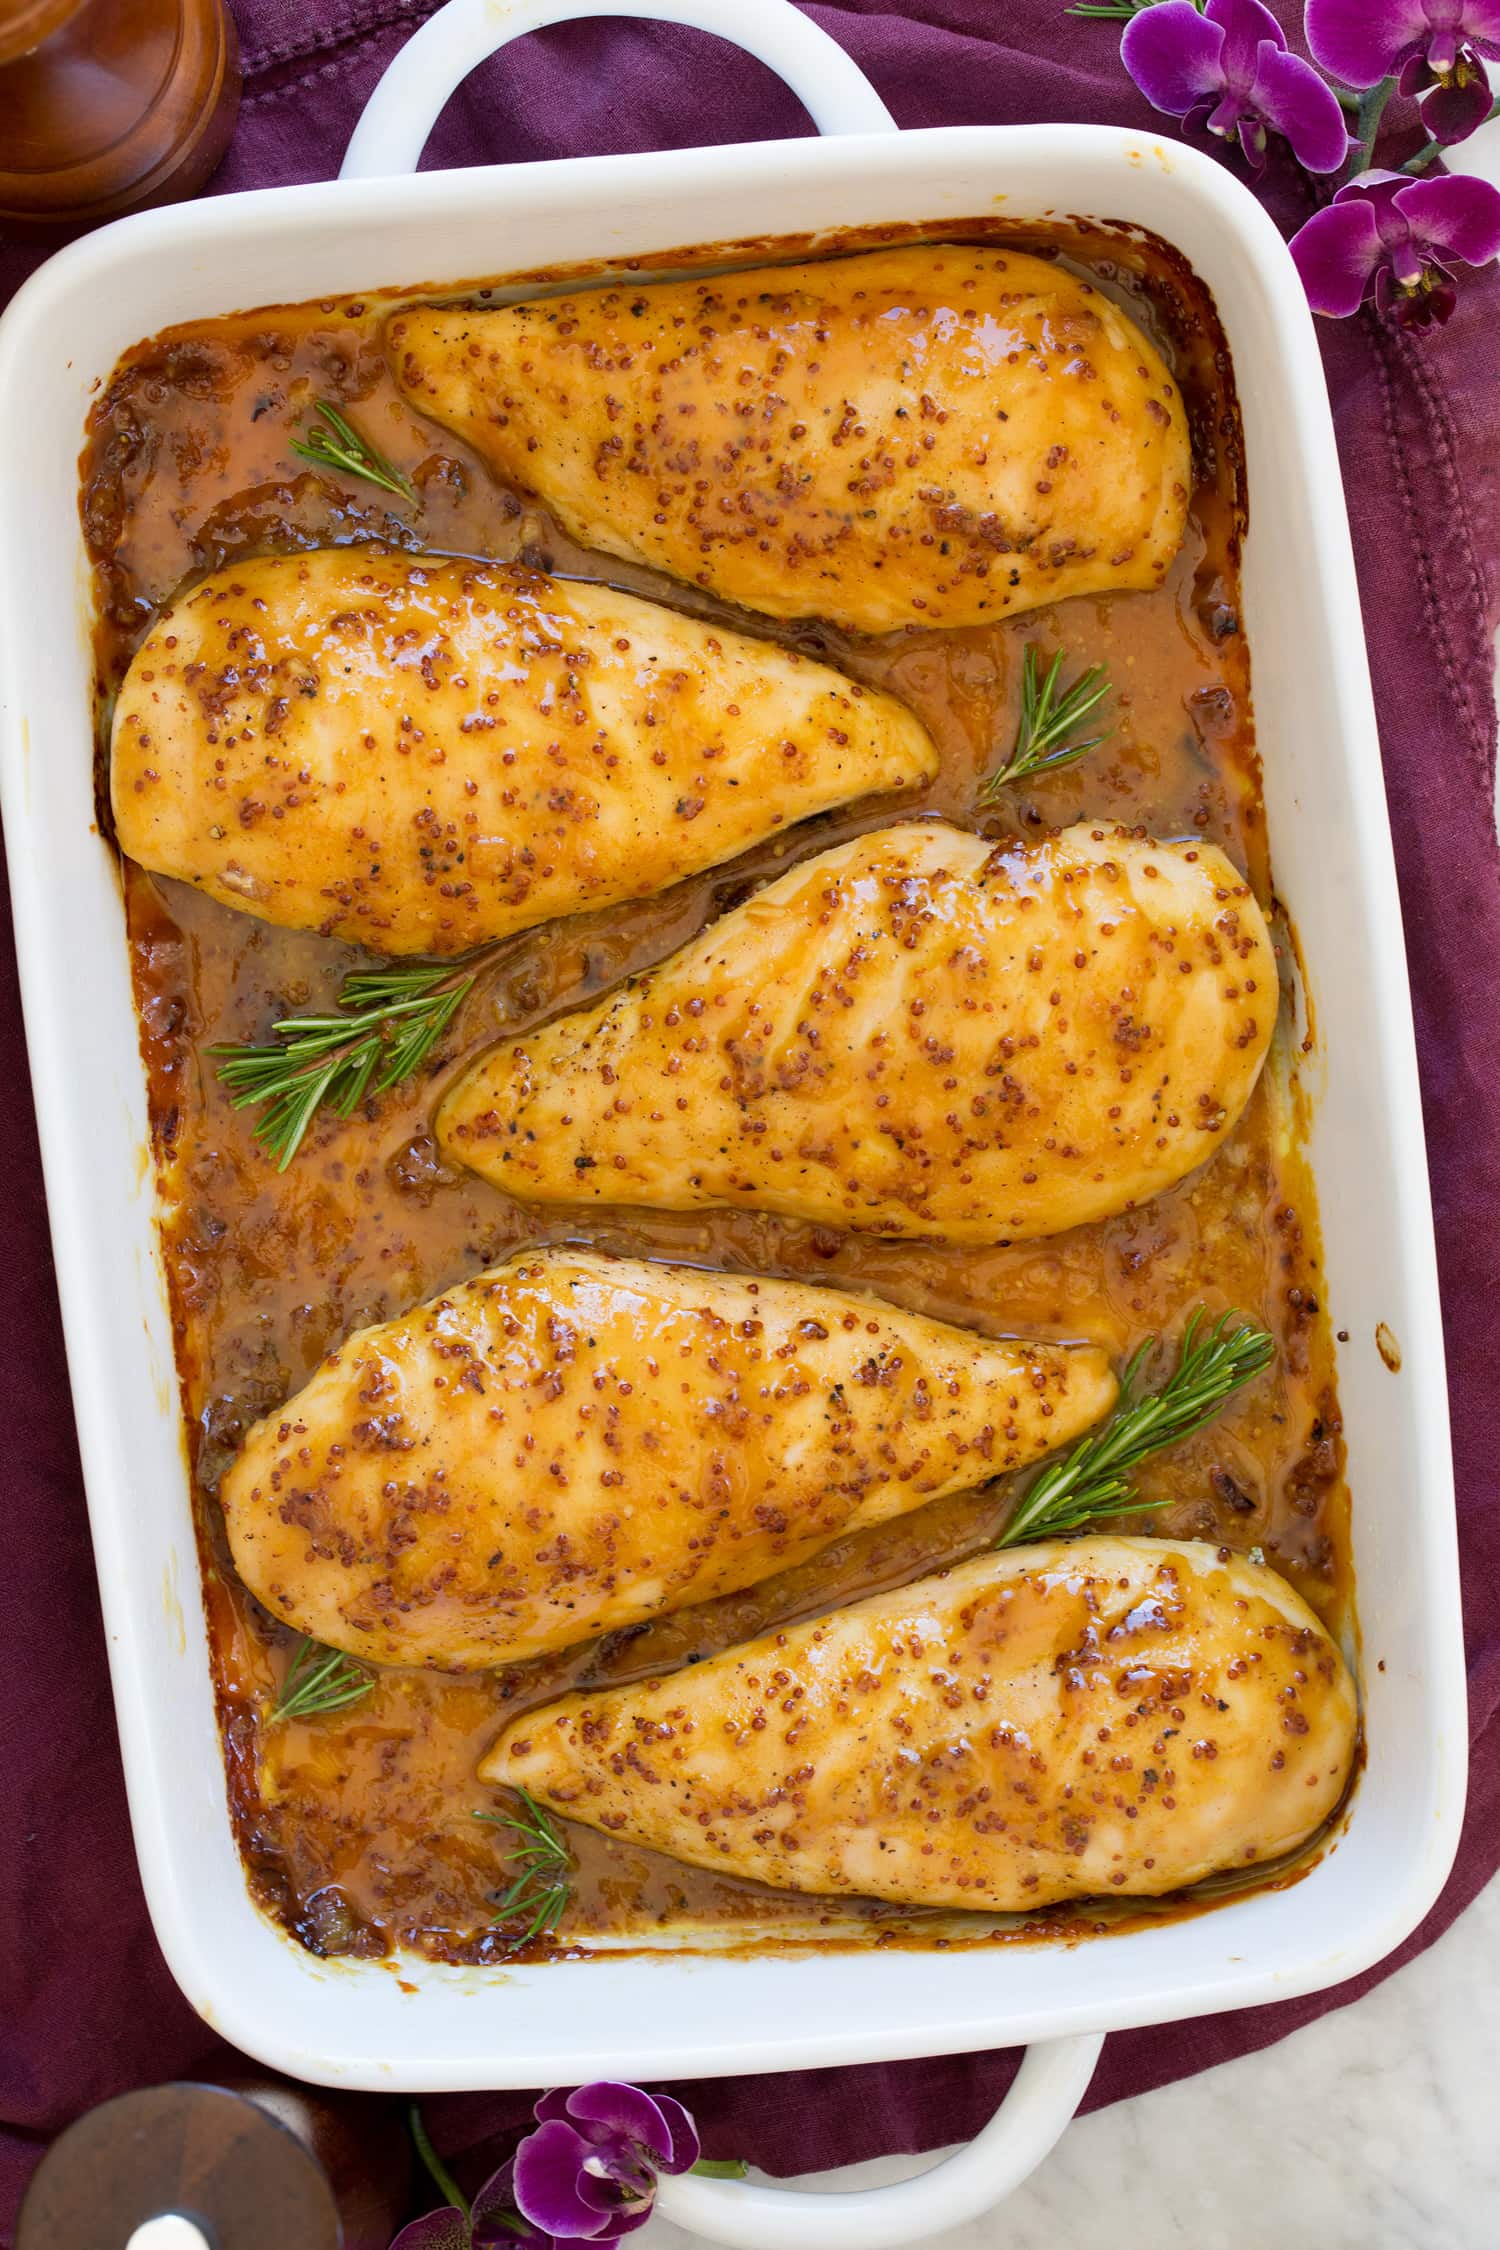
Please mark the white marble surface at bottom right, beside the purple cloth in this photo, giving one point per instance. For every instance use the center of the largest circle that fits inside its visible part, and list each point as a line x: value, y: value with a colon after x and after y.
x: 1373, y: 2130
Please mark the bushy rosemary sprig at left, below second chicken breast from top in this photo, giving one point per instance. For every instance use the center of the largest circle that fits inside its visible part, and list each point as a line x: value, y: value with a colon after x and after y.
x: 390, y: 1023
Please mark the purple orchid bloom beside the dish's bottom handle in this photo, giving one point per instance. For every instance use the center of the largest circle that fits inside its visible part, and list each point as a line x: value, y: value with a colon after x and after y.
x: 588, y: 2175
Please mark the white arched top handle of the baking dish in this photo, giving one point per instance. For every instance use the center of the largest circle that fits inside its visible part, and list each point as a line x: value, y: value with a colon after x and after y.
x: 406, y: 107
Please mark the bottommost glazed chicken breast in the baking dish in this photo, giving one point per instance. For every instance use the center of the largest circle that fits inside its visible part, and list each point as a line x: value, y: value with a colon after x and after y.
x: 1096, y: 1716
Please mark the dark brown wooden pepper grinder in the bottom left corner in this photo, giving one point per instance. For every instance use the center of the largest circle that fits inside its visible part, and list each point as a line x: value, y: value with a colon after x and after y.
x: 255, y: 2166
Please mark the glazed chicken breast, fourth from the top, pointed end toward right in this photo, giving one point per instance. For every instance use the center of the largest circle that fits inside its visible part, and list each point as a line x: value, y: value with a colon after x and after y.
x: 572, y: 1443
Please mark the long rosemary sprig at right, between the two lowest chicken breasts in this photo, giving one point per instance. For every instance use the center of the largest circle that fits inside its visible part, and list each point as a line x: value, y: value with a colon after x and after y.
x: 1094, y: 1482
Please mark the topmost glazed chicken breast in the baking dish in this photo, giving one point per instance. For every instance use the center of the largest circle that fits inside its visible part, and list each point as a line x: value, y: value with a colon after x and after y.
x: 914, y: 438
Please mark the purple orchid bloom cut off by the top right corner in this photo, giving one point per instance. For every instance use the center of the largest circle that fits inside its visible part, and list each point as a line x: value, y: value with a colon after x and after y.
x: 1420, y: 44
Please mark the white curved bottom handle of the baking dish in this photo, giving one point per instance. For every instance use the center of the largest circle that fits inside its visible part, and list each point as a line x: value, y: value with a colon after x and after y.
x: 1051, y: 2082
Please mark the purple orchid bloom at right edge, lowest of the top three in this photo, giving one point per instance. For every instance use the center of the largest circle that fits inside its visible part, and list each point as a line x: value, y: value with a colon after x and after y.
x: 1389, y: 237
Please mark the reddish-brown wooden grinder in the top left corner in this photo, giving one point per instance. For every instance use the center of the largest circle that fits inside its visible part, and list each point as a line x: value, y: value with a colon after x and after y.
x: 111, y: 105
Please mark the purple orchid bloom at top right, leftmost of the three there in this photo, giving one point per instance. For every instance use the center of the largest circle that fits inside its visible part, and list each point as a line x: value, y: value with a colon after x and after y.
x: 1229, y: 71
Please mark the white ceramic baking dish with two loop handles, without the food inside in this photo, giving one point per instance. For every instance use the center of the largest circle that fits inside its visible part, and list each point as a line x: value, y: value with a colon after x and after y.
x: 680, y: 2015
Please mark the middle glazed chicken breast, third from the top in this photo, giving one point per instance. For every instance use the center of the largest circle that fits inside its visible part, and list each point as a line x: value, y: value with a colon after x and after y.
x: 914, y: 1034
